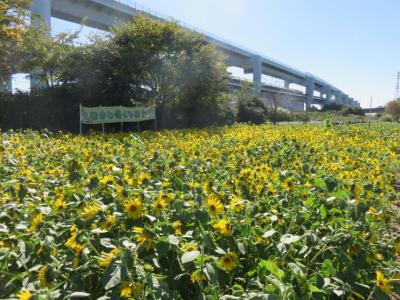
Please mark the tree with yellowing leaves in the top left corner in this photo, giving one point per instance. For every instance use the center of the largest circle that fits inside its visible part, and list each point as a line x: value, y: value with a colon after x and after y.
x: 13, y: 26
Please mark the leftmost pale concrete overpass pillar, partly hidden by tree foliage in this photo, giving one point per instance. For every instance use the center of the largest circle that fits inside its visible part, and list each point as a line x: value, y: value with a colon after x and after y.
x: 40, y: 8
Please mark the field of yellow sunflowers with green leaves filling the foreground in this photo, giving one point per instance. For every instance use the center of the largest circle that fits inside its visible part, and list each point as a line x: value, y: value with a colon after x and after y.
x: 240, y: 212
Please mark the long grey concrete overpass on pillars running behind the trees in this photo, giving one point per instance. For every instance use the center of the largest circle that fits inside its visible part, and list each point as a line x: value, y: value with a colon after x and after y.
x: 102, y: 14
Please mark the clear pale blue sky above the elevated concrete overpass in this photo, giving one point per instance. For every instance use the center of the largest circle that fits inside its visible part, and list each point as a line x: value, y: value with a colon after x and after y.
x: 353, y: 44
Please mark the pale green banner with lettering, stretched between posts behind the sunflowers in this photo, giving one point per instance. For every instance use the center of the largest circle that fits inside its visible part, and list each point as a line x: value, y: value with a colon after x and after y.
x: 116, y: 114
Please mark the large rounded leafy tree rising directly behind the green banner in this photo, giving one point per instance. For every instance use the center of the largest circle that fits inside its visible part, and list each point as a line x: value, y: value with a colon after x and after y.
x: 149, y: 61
